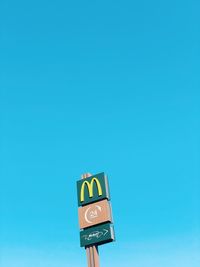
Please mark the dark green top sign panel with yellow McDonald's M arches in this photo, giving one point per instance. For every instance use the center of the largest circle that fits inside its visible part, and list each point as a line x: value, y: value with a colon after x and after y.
x: 92, y: 189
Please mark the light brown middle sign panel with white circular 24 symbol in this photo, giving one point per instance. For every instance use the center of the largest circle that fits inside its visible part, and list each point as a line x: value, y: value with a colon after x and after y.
x: 95, y: 213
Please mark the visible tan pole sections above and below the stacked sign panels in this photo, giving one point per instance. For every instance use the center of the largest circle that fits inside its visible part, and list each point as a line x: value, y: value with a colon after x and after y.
x: 92, y: 251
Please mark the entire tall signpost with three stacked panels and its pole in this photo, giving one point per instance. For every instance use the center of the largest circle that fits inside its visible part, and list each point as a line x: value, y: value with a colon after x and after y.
x: 95, y: 215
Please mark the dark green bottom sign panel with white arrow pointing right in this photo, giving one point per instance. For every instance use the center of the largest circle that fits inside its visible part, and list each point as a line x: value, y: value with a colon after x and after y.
x: 97, y: 235
